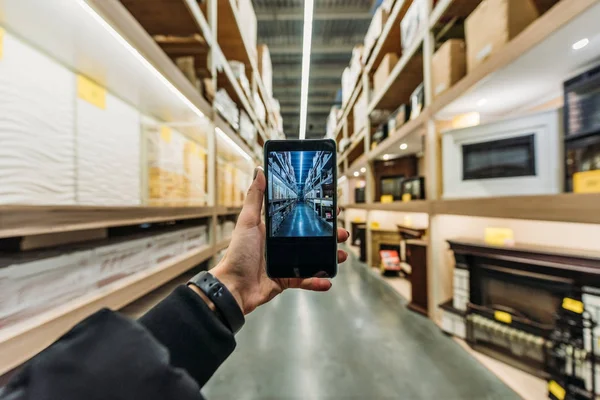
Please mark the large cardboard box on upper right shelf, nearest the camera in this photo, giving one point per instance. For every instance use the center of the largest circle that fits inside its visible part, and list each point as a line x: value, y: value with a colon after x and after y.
x: 493, y: 24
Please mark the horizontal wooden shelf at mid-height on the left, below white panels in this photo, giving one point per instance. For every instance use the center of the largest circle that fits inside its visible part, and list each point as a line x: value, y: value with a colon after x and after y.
x: 26, y: 220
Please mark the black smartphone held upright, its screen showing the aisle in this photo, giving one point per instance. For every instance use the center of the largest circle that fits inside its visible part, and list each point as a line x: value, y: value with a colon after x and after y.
x: 301, y: 208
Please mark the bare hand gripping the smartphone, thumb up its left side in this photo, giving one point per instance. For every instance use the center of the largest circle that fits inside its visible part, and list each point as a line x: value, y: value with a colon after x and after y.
x: 243, y: 269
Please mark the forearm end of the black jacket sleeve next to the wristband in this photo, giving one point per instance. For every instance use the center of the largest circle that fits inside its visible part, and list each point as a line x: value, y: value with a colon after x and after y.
x: 196, y: 339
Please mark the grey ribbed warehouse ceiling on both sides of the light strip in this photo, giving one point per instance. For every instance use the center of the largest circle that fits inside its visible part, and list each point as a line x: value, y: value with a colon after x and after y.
x: 338, y: 25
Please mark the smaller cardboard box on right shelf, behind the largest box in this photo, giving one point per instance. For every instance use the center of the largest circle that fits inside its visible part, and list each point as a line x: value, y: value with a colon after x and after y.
x: 449, y: 65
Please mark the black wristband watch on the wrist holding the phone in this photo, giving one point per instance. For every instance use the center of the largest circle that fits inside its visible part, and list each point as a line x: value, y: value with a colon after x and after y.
x: 227, y: 307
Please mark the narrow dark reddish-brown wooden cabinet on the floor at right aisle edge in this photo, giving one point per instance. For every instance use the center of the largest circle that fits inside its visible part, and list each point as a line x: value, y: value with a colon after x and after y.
x: 416, y: 257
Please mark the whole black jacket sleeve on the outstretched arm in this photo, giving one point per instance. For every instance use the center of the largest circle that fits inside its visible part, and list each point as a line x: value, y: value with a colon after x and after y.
x: 169, y: 354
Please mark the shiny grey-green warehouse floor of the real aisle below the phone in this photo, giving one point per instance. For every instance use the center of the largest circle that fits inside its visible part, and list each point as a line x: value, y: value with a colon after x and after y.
x: 357, y: 341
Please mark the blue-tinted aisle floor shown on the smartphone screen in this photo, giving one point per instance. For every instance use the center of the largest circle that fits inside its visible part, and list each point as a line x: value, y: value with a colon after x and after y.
x: 303, y: 221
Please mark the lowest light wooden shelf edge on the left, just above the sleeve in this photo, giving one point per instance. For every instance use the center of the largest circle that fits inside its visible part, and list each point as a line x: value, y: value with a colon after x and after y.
x: 22, y: 341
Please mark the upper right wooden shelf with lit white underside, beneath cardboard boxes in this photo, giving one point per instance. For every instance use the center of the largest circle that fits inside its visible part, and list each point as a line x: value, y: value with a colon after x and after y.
x: 530, y: 67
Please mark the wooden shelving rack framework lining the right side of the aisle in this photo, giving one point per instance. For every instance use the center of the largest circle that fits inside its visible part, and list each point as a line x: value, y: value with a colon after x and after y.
x: 415, y: 66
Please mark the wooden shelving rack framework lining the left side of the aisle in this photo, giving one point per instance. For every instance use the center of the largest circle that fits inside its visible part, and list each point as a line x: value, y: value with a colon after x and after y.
x: 116, y: 52
